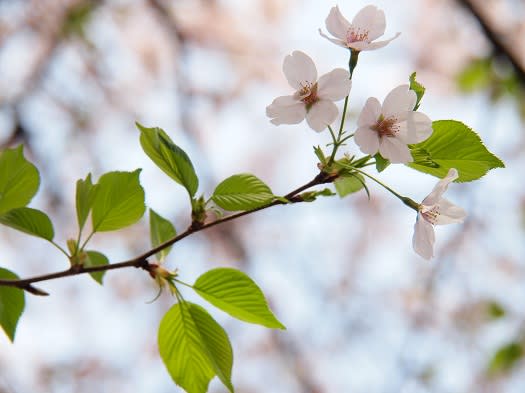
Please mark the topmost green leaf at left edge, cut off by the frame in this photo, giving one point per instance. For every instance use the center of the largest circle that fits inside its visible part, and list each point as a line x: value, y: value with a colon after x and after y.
x: 19, y: 179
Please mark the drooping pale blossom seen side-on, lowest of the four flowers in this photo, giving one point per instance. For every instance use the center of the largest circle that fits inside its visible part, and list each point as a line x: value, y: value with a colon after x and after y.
x: 435, y: 210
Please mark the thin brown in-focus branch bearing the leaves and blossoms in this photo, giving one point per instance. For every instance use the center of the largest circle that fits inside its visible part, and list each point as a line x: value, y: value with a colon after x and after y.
x: 141, y: 261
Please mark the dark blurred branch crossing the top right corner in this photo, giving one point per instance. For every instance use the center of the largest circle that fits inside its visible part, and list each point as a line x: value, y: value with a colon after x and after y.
x: 496, y: 40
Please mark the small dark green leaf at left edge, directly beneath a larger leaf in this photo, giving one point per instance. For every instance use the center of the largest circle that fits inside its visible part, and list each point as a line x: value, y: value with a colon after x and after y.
x: 31, y: 221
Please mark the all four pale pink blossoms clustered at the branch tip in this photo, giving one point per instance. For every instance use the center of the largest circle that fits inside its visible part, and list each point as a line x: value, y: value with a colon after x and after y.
x: 386, y: 129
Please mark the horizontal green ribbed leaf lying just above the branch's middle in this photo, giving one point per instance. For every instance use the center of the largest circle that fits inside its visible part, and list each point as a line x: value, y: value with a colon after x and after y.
x: 242, y: 192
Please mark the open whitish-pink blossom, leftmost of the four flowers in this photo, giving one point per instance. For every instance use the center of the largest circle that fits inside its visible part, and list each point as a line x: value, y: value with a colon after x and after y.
x: 313, y: 98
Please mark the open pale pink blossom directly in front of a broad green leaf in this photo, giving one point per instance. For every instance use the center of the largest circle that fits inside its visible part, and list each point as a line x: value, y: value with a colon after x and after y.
x: 391, y: 127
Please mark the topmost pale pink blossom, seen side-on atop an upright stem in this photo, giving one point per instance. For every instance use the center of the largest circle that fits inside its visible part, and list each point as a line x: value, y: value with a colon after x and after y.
x: 368, y: 25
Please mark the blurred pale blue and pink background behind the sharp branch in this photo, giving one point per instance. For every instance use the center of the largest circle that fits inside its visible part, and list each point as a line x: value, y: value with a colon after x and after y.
x: 363, y: 312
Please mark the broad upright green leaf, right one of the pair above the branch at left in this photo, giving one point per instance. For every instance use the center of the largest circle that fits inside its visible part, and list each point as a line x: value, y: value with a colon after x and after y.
x: 118, y: 201
